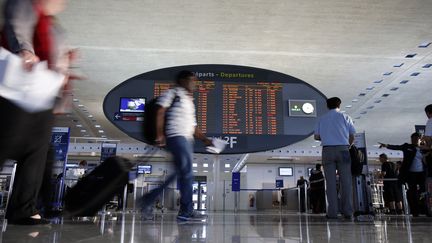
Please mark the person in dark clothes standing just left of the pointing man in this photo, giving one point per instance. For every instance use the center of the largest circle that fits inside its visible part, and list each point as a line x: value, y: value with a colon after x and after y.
x: 392, y: 190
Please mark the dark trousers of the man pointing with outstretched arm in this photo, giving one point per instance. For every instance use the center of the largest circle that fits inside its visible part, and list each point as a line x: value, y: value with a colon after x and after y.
x: 415, y: 179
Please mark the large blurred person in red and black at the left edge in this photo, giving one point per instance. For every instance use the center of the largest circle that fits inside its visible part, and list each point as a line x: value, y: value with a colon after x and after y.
x: 30, y: 31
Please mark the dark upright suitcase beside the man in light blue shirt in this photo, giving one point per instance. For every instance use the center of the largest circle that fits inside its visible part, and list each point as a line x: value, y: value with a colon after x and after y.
x: 363, y: 208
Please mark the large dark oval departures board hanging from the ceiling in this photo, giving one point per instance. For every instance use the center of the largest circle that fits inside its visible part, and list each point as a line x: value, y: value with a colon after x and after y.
x: 252, y: 109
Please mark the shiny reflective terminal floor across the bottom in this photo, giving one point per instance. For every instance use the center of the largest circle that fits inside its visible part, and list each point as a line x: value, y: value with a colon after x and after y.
x: 224, y: 227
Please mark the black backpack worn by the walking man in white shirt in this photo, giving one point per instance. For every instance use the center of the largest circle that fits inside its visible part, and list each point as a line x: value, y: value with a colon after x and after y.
x: 149, y: 127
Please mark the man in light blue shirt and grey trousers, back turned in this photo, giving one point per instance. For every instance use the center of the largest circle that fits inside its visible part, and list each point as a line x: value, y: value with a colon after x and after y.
x: 336, y: 132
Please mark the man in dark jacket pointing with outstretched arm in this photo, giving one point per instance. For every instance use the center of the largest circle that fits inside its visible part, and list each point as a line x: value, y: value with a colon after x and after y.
x: 412, y: 171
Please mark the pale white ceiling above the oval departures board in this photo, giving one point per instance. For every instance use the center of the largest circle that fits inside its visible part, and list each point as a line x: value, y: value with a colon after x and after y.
x: 340, y: 47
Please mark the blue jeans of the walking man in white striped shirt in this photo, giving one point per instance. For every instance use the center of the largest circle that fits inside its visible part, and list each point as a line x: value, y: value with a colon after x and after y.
x: 182, y: 151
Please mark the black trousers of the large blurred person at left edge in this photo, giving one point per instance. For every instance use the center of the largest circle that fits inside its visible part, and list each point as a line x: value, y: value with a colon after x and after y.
x: 24, y: 137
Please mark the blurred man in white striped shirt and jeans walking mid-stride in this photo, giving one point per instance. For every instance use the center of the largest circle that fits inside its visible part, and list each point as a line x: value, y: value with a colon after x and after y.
x: 176, y: 128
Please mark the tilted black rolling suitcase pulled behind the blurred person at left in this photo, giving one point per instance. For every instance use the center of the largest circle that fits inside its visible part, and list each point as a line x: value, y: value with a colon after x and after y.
x: 98, y: 187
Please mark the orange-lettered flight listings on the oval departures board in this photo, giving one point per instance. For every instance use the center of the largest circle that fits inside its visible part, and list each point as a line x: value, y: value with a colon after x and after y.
x: 244, y: 108
